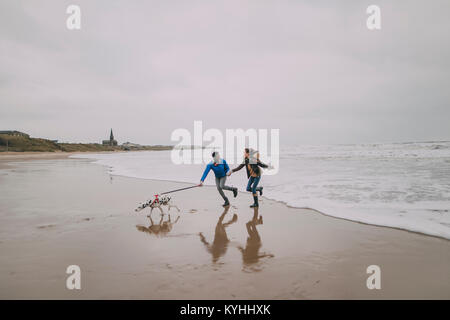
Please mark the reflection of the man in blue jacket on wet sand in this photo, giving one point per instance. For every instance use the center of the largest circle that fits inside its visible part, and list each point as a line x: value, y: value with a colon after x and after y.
x: 220, y: 243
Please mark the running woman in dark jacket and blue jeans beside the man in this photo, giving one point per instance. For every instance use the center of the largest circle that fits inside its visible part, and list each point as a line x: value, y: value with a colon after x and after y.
x: 252, y: 166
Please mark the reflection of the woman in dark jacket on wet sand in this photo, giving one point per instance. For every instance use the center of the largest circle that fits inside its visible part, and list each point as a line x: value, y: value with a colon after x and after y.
x: 251, y: 254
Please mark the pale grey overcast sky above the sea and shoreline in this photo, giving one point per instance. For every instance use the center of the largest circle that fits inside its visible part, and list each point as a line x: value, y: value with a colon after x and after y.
x: 144, y: 68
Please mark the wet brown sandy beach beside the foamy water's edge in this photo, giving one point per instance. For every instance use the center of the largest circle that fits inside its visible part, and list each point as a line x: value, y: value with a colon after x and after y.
x: 59, y: 212
